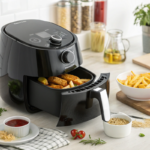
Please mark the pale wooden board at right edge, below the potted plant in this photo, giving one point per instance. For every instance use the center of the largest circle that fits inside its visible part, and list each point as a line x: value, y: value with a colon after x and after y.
x: 143, y: 61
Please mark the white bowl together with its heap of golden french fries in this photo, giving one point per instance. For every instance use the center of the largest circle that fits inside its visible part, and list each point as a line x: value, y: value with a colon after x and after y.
x: 135, y: 85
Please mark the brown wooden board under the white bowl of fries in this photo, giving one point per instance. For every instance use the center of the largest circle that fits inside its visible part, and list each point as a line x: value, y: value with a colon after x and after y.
x: 143, y: 107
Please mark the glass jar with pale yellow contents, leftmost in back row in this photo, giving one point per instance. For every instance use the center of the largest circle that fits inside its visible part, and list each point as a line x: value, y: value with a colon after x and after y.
x: 63, y: 14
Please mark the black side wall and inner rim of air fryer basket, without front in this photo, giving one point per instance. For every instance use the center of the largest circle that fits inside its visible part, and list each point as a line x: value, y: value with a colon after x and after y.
x: 48, y: 99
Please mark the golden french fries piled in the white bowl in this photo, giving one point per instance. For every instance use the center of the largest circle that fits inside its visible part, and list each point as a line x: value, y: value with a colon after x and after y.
x: 137, y: 81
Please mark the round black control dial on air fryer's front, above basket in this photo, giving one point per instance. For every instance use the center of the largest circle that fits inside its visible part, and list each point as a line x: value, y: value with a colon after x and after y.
x: 67, y: 57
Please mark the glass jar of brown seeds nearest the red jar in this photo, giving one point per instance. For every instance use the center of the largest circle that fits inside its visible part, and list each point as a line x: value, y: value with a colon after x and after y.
x: 87, y: 14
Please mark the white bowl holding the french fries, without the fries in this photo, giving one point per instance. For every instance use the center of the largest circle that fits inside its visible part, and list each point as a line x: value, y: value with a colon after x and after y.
x: 133, y: 93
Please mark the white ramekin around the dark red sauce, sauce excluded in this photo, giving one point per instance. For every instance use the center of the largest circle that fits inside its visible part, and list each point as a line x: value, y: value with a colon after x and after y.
x: 17, y: 131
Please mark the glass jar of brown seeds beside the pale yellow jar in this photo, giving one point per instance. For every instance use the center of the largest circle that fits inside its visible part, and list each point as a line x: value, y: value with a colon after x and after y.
x: 76, y: 16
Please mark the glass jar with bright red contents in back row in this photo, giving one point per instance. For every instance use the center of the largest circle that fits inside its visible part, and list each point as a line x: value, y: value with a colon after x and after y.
x: 100, y: 11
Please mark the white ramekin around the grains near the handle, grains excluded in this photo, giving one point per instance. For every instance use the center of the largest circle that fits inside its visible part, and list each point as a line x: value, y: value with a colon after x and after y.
x: 118, y: 131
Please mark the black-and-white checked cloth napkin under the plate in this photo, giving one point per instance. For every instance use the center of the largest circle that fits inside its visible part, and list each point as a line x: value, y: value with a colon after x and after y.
x: 48, y: 139
